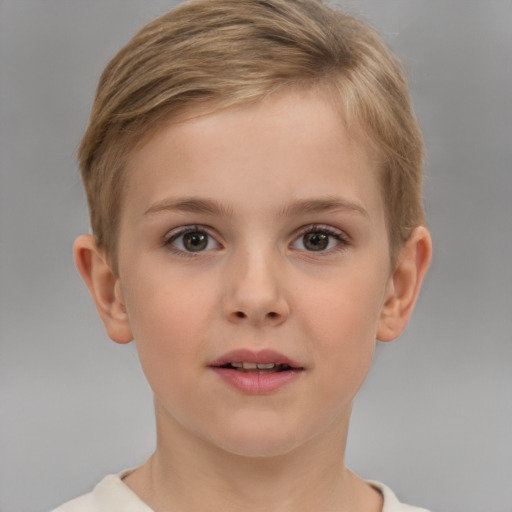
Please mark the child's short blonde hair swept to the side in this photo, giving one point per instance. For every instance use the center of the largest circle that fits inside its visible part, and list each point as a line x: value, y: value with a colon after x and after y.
x: 228, y: 52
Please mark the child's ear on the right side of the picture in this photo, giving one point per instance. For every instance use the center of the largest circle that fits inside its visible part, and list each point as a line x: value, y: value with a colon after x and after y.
x: 404, y: 284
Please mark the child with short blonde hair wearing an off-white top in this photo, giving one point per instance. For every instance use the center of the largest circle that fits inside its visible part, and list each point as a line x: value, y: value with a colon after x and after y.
x: 253, y: 171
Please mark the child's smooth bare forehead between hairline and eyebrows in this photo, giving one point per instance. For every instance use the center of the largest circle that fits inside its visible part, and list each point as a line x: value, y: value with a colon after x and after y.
x: 290, y: 144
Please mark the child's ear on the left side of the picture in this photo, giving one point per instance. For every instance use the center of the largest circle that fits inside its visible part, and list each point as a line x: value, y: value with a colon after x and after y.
x: 104, y: 286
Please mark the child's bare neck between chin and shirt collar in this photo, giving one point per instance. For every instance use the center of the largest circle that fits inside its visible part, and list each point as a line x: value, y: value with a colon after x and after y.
x: 311, y: 477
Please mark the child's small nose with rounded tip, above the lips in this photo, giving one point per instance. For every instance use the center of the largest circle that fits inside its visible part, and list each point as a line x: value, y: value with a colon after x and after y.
x: 255, y: 291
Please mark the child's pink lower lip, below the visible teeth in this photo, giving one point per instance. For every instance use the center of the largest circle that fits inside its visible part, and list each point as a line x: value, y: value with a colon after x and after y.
x: 257, y: 383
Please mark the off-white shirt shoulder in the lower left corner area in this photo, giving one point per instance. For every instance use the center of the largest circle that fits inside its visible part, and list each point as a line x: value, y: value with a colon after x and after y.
x: 110, y: 495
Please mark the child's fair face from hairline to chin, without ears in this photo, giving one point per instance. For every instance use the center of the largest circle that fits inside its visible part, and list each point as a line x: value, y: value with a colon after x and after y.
x: 254, y: 266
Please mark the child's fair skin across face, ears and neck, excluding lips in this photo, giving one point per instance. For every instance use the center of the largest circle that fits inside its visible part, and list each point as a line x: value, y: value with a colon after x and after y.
x: 256, y: 182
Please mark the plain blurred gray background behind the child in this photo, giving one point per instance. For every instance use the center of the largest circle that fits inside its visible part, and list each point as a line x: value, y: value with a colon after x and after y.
x: 434, y: 418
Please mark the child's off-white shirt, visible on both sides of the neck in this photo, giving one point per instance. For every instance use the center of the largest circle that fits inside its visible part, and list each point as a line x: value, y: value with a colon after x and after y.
x: 113, y: 495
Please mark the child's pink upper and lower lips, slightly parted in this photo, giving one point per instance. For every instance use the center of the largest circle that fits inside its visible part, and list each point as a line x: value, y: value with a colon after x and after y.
x: 256, y: 383
